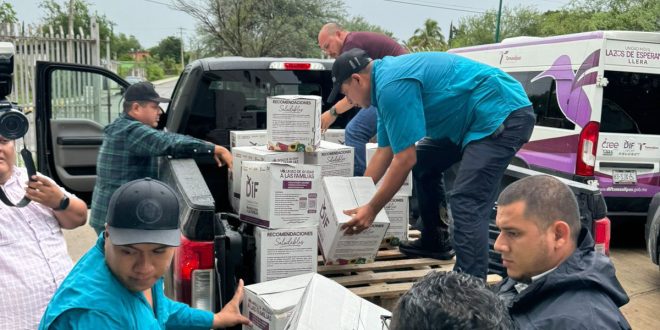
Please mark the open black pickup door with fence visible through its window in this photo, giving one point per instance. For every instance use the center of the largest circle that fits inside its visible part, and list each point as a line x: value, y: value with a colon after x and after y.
x: 74, y: 104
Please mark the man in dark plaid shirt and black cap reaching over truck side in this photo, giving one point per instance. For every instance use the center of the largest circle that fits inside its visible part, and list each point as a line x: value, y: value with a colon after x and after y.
x: 131, y: 144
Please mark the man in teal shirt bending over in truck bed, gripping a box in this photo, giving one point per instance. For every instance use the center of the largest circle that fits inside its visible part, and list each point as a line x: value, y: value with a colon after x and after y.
x: 435, y: 109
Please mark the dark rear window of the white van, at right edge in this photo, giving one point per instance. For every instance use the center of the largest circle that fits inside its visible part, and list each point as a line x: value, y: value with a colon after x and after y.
x: 631, y: 103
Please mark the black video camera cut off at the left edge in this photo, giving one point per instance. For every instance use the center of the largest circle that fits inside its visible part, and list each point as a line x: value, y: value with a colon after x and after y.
x: 13, y: 123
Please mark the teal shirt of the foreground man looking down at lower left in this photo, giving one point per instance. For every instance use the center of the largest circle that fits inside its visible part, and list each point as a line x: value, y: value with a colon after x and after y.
x: 91, y: 297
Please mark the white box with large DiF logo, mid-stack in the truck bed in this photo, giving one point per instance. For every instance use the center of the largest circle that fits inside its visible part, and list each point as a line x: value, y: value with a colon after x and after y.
x: 278, y: 195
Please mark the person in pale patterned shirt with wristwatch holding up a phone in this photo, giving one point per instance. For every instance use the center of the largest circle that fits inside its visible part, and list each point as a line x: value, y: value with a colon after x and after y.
x: 33, y: 255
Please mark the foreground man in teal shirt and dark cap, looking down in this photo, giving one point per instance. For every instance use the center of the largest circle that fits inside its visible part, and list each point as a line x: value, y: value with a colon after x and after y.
x: 118, y: 283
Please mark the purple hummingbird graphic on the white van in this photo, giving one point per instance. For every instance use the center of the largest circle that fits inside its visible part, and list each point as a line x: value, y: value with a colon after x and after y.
x: 572, y: 100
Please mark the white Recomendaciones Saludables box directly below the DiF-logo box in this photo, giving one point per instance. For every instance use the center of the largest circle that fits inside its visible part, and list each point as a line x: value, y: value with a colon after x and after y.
x: 285, y: 252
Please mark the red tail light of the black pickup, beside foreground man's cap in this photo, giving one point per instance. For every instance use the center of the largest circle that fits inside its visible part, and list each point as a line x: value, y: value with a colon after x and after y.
x: 193, y: 274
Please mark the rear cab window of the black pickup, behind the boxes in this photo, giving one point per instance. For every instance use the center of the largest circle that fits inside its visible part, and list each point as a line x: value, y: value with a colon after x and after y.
x: 236, y: 99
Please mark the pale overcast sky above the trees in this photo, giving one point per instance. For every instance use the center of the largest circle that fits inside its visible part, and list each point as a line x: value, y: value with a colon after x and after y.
x: 152, y: 20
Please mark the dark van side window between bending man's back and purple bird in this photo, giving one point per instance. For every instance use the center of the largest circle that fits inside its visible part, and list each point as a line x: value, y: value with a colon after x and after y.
x: 543, y: 95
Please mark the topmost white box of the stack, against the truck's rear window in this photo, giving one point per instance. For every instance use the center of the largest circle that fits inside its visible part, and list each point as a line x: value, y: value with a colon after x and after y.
x: 293, y: 122
